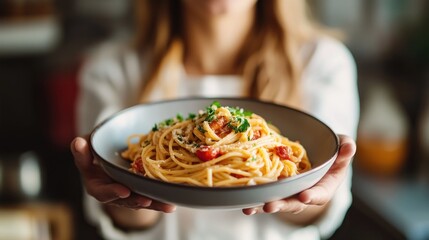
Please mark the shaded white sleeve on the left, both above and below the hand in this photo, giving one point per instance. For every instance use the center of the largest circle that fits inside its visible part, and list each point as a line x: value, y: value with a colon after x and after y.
x: 108, y: 82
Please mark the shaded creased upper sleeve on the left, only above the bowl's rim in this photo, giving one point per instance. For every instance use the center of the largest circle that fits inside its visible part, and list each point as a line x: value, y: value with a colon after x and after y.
x: 108, y: 82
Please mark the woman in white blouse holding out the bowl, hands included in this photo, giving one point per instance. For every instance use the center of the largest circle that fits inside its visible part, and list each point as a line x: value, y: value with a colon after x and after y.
x: 218, y: 48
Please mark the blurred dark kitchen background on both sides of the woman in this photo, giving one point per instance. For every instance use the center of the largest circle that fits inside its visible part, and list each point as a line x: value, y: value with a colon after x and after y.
x: 42, y: 46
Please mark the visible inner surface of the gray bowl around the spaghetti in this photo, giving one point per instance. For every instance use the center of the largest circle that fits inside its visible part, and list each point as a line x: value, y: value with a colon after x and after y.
x: 109, y: 137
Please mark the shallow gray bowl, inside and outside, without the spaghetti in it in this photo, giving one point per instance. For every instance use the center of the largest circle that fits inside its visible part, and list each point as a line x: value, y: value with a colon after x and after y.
x: 108, y: 139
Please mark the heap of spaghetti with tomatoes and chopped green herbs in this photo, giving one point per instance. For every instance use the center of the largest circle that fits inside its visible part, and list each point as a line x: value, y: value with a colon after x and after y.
x: 220, y: 146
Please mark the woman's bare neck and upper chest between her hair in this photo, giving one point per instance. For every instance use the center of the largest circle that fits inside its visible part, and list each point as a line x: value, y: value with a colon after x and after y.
x: 212, y: 44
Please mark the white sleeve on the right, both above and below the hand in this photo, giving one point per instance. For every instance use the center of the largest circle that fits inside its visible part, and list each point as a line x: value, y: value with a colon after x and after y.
x: 330, y: 81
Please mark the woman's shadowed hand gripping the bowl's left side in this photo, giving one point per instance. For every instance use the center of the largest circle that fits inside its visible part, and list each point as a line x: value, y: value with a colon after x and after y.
x: 103, y: 188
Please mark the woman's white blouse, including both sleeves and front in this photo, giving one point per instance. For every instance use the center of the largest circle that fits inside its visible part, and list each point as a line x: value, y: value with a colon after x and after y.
x: 111, y: 80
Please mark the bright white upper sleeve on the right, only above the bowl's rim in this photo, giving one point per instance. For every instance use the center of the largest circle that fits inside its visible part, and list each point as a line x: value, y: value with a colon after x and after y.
x: 330, y: 87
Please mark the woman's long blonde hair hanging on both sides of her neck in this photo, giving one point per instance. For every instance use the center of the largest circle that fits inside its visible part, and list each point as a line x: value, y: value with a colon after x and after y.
x: 270, y: 61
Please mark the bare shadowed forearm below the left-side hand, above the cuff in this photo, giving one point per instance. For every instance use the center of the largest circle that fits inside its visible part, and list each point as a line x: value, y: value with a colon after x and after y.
x: 131, y: 219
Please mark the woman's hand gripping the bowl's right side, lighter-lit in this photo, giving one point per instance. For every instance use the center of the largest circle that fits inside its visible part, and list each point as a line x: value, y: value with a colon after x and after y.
x: 310, y: 203
